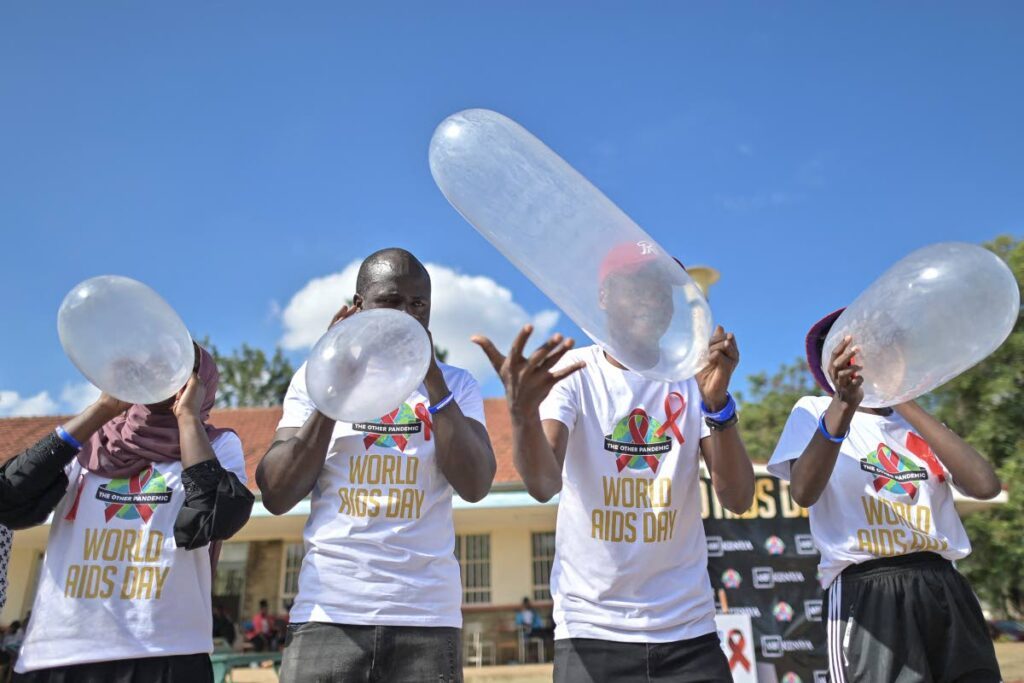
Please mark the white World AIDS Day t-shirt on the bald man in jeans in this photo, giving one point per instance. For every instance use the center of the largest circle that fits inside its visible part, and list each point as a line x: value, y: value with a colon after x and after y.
x: 380, y: 541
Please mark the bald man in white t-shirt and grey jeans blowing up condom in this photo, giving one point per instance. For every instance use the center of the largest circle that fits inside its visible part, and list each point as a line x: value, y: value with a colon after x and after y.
x: 379, y: 590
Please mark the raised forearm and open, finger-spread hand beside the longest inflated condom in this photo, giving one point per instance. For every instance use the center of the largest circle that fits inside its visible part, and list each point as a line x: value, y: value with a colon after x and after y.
x: 539, y: 448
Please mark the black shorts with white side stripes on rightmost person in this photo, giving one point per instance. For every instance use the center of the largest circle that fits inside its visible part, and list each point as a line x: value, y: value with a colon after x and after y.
x: 912, y: 619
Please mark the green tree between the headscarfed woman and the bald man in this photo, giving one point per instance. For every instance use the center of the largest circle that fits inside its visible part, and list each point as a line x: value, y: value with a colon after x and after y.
x: 249, y: 378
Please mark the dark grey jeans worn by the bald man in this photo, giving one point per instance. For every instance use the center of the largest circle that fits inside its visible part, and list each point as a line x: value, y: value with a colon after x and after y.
x: 318, y: 653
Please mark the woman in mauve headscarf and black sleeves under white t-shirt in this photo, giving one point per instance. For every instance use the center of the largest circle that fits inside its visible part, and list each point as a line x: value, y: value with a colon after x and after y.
x: 139, y: 495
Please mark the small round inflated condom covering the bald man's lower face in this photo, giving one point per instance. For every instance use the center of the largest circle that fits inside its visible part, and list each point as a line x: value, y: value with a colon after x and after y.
x: 366, y: 366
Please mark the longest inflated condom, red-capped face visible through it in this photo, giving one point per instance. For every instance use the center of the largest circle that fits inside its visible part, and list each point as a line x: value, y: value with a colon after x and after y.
x: 578, y: 247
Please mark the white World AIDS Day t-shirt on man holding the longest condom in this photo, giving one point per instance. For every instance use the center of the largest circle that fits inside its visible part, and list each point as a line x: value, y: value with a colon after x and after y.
x: 631, y: 561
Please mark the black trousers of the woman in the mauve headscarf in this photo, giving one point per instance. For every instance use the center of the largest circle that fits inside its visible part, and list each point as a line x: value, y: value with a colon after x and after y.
x: 180, y: 669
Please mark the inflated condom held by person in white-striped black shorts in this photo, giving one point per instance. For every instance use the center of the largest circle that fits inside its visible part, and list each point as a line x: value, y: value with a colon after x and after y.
x: 932, y: 316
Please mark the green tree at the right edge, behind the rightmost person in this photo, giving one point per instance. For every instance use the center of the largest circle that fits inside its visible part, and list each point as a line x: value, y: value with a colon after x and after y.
x: 986, y: 406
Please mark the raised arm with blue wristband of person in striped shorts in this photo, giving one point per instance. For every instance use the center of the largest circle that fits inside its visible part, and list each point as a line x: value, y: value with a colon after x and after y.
x: 810, y: 473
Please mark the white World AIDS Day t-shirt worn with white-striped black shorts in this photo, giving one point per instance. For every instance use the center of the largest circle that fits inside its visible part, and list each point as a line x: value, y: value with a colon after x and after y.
x: 888, y: 496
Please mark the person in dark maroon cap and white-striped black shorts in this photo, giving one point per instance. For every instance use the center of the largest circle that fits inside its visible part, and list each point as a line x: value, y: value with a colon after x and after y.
x: 879, y: 486
